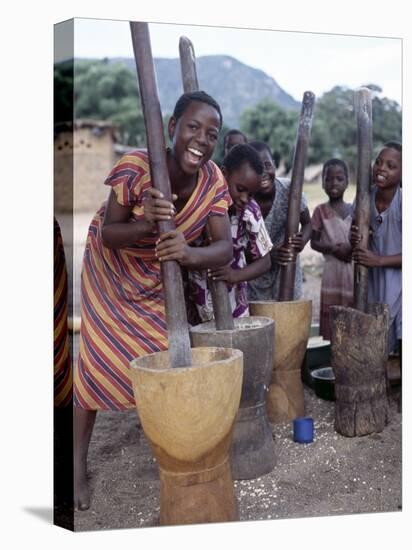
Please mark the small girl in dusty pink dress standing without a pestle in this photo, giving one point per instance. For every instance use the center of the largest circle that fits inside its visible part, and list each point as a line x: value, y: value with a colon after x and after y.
x: 331, y: 222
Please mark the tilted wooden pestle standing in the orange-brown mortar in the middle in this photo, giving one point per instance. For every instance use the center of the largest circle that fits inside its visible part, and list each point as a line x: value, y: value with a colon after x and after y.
x: 287, y: 273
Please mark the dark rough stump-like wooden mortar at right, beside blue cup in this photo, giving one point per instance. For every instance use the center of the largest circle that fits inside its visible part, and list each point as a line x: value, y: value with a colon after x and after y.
x: 359, y: 352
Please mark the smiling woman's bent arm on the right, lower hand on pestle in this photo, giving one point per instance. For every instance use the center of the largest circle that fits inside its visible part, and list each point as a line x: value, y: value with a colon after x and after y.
x: 172, y: 246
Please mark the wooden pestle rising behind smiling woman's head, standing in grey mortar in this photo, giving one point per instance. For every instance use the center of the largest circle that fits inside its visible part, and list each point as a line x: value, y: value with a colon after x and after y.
x: 218, y: 289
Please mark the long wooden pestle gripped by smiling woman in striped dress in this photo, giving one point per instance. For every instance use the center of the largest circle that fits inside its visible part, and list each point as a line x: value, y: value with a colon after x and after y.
x: 176, y: 319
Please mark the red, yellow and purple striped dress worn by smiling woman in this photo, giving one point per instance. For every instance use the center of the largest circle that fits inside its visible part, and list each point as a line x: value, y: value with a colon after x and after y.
x: 122, y: 302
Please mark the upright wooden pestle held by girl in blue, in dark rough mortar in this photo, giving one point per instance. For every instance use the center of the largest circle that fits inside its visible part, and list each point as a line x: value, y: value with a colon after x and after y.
x: 363, y: 109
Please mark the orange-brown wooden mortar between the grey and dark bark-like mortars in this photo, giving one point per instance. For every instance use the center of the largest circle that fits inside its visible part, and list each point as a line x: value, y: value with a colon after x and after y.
x: 292, y: 320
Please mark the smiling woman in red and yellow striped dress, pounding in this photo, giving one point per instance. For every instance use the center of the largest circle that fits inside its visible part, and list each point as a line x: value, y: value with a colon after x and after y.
x: 122, y: 303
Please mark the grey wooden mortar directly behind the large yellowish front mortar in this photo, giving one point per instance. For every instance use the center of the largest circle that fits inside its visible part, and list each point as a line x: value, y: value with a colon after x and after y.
x: 252, y: 453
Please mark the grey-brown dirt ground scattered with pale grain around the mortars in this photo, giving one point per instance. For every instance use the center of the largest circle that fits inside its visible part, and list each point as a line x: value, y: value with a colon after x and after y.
x: 334, y: 475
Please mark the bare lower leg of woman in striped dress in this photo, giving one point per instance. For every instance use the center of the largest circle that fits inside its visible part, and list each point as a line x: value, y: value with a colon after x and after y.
x: 83, y: 428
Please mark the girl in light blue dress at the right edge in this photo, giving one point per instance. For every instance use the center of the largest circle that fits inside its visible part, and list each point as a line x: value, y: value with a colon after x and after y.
x: 383, y: 256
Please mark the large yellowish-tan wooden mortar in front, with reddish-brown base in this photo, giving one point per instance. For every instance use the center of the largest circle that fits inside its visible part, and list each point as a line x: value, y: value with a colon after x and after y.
x: 187, y: 415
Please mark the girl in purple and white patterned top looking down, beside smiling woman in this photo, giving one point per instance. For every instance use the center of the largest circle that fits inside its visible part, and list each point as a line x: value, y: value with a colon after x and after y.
x: 243, y: 170
